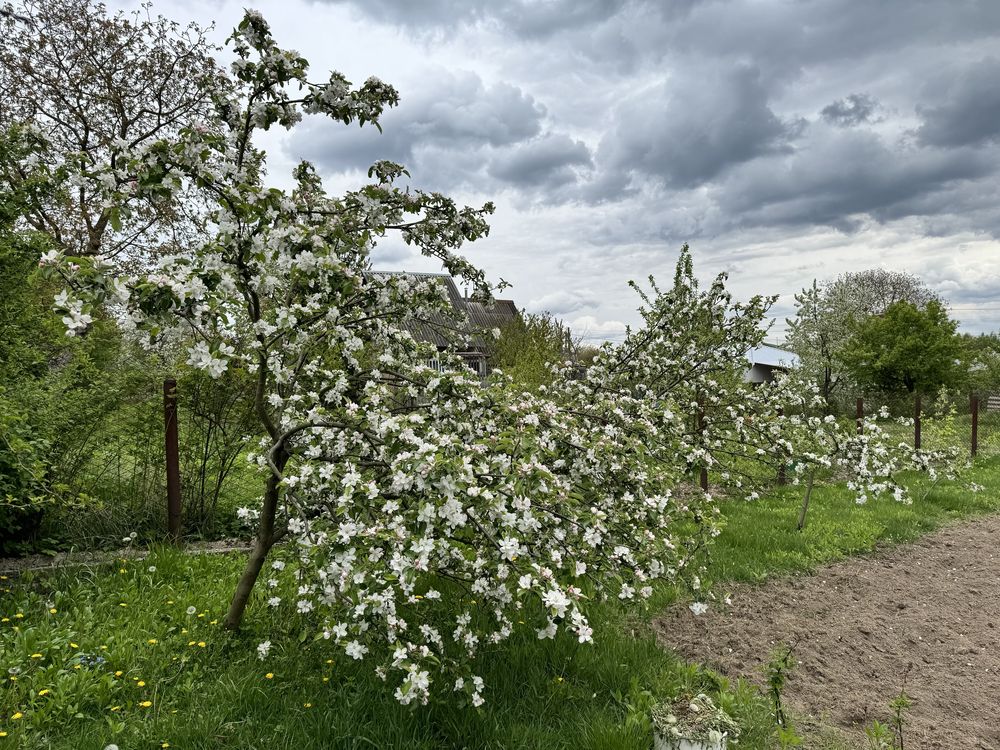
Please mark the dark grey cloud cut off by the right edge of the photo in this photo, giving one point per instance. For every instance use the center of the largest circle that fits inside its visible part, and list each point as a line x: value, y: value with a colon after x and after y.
x: 966, y: 109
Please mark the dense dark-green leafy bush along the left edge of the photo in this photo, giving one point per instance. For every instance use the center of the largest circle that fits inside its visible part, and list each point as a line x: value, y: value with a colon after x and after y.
x: 46, y: 378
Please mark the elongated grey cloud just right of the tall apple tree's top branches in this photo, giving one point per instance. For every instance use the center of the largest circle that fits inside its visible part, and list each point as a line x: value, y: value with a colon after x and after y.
x: 457, y: 111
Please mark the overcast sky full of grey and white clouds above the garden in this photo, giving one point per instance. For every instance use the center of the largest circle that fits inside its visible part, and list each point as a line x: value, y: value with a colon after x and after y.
x: 785, y: 140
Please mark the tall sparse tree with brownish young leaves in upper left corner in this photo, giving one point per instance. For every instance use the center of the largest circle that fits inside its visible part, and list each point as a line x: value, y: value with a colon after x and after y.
x: 95, y: 85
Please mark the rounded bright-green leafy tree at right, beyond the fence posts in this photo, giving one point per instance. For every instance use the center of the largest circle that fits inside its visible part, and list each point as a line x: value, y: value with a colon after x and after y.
x: 906, y: 348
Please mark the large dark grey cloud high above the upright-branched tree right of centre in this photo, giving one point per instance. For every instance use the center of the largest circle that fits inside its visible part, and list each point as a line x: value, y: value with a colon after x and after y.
x: 688, y: 130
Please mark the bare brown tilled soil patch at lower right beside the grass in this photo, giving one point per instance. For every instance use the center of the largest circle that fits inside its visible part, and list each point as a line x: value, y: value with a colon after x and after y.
x: 929, y: 611
